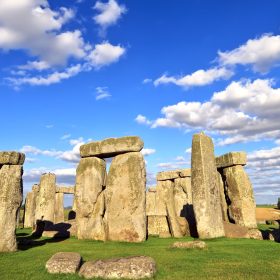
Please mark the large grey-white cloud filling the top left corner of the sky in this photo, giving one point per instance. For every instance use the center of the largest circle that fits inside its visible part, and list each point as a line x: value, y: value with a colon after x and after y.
x: 41, y: 32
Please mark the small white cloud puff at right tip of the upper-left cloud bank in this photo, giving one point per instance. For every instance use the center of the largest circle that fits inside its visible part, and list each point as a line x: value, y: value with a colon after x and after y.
x: 105, y: 54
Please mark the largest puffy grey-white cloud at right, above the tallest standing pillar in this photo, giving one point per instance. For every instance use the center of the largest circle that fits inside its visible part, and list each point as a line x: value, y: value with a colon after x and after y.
x: 244, y: 111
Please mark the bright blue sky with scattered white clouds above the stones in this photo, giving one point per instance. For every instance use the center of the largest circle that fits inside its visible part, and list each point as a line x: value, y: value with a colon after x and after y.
x: 76, y: 71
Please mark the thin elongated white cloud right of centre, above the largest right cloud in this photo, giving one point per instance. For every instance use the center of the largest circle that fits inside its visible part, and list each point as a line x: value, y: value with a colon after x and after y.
x: 198, y: 78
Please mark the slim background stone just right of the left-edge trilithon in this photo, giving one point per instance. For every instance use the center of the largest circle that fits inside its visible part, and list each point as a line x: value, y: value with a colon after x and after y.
x: 30, y: 207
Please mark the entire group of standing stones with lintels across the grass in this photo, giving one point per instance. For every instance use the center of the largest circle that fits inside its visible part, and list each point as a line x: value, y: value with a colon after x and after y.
x: 204, y: 201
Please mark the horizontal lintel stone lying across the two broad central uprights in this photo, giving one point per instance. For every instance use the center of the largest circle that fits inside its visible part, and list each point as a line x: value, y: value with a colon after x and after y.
x: 111, y: 147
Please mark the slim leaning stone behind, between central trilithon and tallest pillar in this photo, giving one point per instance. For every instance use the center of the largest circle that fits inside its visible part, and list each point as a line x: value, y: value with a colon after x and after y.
x: 165, y: 191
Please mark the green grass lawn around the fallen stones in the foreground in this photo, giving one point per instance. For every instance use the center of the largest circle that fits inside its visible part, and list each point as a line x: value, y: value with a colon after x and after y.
x: 224, y: 258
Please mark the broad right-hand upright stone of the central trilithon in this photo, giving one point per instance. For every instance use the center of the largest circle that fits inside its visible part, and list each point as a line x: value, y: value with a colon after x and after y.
x: 126, y: 197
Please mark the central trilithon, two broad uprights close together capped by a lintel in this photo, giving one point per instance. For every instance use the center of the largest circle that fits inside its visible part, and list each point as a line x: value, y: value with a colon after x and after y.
x: 111, y: 206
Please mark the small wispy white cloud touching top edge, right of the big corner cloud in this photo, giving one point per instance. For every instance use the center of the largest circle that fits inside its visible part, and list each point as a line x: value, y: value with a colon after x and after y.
x: 109, y: 13
